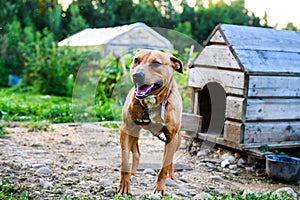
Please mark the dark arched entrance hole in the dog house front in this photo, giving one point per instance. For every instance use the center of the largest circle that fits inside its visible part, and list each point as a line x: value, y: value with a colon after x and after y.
x: 212, y: 105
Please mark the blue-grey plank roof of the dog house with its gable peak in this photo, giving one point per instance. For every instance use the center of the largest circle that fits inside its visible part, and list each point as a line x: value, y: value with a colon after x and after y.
x: 261, y: 50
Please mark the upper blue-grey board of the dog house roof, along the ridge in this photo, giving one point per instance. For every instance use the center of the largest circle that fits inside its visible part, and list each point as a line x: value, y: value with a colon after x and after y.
x: 256, y: 38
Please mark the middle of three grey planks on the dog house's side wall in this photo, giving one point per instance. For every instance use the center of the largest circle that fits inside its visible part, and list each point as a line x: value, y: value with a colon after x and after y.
x: 273, y: 109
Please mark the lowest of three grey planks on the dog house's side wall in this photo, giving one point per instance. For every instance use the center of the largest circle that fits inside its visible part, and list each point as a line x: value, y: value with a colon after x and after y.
x: 268, y: 132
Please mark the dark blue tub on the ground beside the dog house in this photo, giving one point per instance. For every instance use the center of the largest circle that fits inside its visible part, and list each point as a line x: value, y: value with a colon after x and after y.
x: 283, y: 168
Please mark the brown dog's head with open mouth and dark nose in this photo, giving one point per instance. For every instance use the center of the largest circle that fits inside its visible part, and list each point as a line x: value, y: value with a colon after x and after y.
x: 151, y: 71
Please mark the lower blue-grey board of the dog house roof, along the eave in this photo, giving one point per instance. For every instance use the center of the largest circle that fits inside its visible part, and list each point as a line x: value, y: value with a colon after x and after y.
x: 269, y: 62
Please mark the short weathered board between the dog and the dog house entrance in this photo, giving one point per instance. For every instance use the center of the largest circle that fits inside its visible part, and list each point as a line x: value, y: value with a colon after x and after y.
x: 191, y: 123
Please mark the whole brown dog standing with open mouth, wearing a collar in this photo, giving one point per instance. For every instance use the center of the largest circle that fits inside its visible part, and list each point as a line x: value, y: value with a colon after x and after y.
x: 153, y: 104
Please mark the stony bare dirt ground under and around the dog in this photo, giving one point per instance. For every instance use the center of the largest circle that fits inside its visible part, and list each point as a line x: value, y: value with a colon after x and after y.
x: 82, y: 160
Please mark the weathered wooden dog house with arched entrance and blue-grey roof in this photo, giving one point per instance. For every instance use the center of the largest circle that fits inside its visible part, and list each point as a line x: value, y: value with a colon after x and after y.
x: 246, y: 83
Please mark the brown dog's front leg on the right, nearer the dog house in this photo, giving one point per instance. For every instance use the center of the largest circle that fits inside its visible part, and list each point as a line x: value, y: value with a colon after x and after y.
x: 167, y: 165
